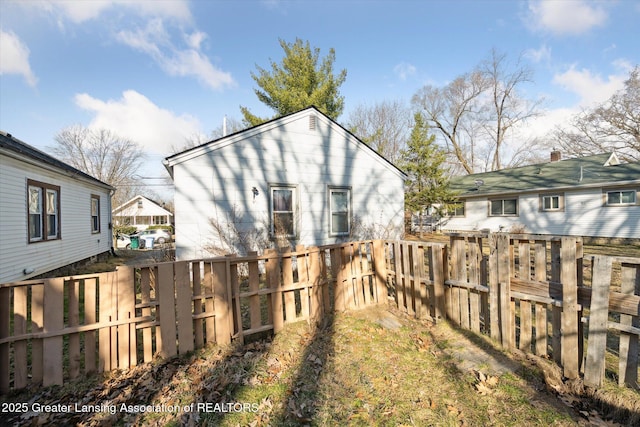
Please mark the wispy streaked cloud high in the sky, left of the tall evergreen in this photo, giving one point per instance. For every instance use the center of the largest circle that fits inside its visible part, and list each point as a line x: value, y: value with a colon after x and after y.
x: 155, y: 41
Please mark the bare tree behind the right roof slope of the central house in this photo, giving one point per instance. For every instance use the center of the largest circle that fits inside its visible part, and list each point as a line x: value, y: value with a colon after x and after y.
x: 384, y: 127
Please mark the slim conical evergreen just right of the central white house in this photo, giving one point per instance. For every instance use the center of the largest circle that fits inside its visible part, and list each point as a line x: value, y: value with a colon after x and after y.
x: 422, y: 160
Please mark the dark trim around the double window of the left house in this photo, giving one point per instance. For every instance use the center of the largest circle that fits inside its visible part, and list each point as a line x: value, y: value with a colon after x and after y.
x: 44, y: 189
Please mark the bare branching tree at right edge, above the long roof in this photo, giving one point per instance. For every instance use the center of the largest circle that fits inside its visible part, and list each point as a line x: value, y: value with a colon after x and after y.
x: 611, y: 126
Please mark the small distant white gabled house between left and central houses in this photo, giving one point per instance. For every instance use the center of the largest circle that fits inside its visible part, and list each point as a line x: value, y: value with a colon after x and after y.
x: 141, y: 213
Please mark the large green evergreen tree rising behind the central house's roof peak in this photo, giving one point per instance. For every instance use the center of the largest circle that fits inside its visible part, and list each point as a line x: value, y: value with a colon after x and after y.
x: 301, y: 80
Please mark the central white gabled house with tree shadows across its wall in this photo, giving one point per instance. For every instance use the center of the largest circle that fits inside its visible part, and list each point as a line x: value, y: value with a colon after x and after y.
x: 301, y: 178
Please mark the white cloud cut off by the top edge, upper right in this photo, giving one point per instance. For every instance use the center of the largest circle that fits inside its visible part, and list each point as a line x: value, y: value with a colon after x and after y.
x: 565, y: 17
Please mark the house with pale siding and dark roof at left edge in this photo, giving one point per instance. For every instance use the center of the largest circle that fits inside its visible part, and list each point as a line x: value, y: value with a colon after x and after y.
x: 51, y: 214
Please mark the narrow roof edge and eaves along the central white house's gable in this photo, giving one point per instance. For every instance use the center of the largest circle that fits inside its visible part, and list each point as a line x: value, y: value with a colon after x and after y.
x: 199, y: 150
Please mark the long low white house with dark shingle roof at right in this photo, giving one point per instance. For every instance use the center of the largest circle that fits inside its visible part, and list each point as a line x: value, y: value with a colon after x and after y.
x: 588, y: 196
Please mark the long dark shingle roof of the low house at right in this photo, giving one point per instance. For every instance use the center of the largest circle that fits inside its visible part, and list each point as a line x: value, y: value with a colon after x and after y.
x: 597, y: 170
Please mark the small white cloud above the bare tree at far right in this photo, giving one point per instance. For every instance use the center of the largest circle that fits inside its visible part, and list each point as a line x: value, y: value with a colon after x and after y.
x: 590, y: 87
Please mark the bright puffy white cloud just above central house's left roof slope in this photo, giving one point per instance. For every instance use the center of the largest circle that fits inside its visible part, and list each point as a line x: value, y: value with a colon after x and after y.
x: 136, y: 117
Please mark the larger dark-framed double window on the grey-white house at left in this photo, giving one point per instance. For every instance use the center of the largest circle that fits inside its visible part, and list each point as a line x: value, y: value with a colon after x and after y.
x: 44, y: 211
